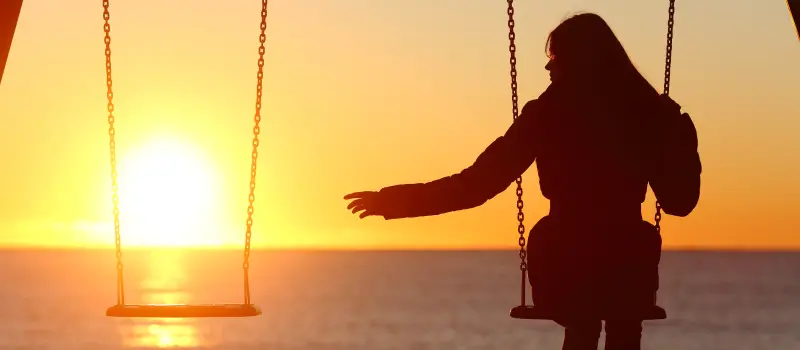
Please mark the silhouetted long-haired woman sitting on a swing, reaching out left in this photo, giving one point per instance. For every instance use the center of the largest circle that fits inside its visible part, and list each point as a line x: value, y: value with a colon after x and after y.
x: 599, y: 134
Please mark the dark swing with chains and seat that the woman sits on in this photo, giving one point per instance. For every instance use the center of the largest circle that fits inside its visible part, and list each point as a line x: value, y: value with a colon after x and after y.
x: 533, y: 312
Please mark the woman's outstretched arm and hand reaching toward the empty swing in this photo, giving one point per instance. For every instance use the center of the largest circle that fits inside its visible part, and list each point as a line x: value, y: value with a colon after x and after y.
x: 499, y: 165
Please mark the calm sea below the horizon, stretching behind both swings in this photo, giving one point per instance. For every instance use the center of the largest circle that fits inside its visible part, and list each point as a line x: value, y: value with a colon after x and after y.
x: 324, y: 300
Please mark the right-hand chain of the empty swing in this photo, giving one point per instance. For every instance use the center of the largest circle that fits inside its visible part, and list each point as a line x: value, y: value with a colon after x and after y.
x: 256, y: 131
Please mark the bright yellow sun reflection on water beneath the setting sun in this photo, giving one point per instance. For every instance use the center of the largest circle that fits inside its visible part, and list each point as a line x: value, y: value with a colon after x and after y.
x: 163, y: 284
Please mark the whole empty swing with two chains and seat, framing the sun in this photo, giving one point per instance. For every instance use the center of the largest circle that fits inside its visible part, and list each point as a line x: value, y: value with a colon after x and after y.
x: 121, y: 309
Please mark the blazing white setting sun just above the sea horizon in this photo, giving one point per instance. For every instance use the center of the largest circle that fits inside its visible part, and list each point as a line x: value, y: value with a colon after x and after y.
x: 168, y: 196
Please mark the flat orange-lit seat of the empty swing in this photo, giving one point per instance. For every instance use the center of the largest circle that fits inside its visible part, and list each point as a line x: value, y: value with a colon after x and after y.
x: 183, y: 310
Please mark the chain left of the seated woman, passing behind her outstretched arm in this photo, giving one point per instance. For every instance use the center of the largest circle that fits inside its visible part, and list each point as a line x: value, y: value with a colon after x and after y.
x: 512, y: 49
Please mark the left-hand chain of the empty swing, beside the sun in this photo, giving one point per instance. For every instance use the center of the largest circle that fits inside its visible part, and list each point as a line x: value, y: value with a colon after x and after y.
x: 113, y: 148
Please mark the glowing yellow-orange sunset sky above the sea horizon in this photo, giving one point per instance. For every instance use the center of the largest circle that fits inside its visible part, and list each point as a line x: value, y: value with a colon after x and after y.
x: 360, y: 95
